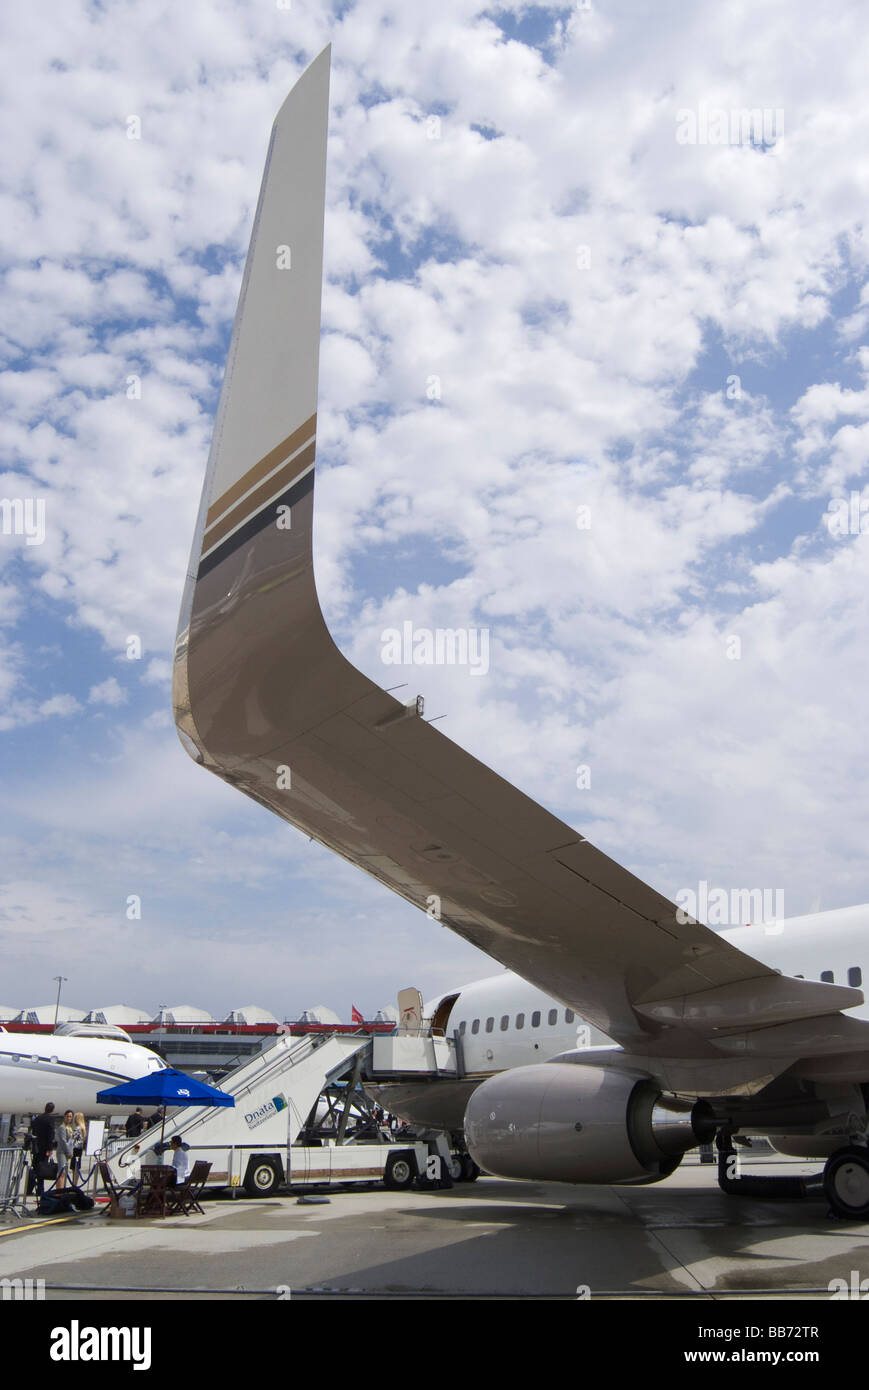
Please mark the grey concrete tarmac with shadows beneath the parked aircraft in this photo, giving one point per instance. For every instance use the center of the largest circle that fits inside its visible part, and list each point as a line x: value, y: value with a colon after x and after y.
x: 676, y: 1241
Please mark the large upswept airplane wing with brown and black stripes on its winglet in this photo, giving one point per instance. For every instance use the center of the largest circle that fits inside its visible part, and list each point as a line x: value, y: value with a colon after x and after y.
x: 265, y: 700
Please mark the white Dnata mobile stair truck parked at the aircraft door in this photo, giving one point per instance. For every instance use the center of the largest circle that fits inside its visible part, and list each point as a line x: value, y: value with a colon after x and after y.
x: 251, y: 1146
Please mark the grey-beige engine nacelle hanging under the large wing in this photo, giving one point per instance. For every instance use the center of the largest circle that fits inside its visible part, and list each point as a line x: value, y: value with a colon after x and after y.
x: 572, y: 1124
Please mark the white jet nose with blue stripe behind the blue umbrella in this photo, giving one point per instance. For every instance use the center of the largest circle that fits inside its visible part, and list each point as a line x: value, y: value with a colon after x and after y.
x: 69, y: 1067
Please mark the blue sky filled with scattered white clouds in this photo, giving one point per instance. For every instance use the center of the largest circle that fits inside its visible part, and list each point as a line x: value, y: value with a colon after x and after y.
x: 593, y: 382
